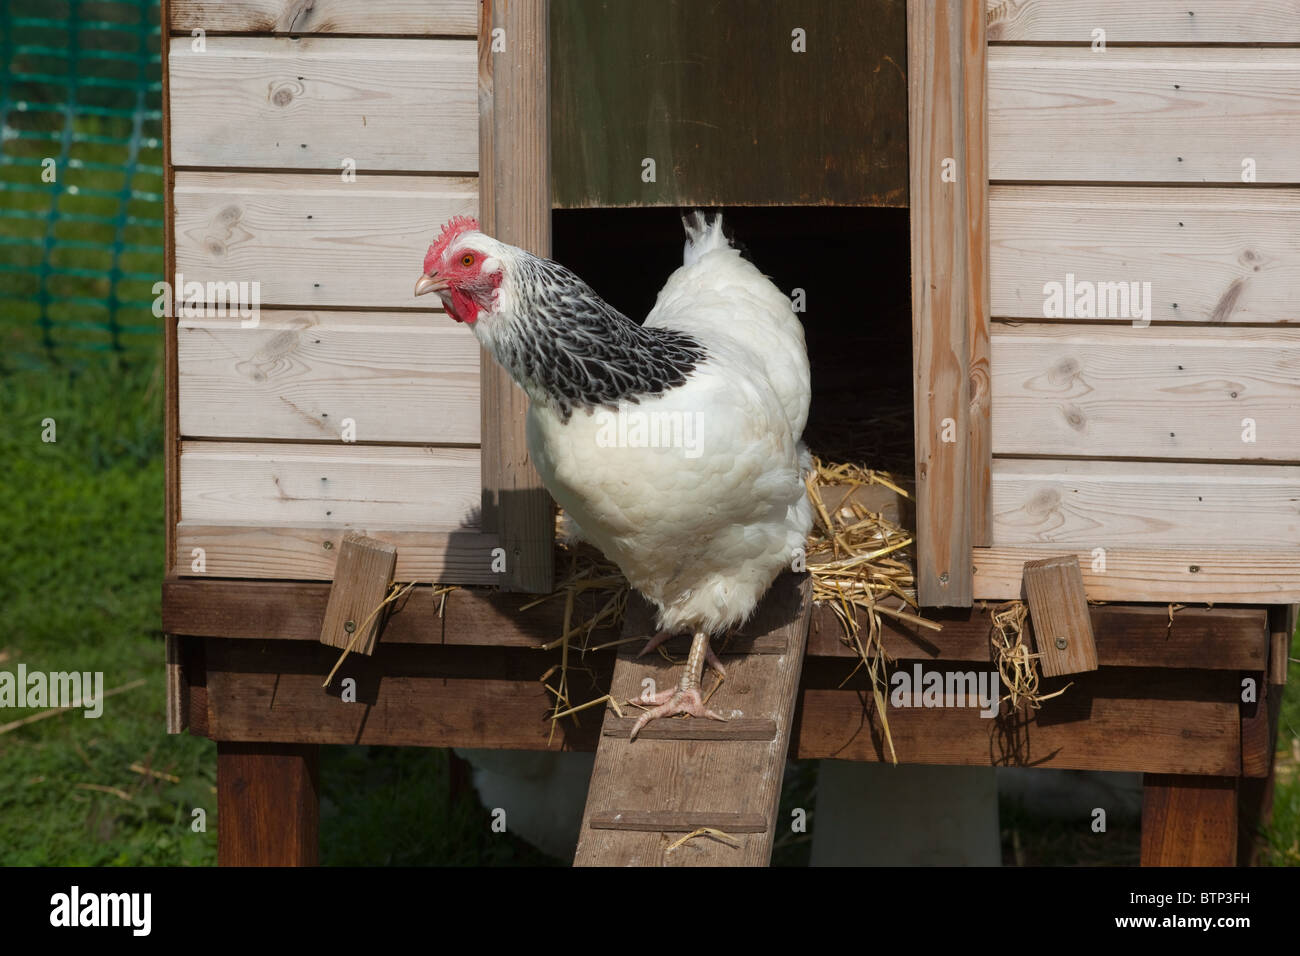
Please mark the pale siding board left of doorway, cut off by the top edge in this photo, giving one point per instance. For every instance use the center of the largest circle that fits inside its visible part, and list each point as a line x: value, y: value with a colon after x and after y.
x: 401, y: 18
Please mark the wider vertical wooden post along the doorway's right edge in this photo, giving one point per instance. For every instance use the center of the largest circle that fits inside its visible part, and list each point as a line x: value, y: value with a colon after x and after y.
x: 941, y: 299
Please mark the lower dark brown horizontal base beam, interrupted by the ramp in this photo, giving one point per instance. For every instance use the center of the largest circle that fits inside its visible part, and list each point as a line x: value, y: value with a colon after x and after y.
x: 1185, y: 723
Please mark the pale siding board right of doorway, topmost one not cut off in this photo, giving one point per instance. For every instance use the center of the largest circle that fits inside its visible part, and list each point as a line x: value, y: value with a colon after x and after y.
x: 1143, y: 115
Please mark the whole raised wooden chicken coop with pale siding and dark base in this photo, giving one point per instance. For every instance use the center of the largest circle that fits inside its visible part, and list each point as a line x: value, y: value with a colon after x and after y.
x: 1102, y: 204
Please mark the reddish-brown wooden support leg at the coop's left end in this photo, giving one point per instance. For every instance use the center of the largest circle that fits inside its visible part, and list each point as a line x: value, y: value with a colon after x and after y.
x: 268, y: 804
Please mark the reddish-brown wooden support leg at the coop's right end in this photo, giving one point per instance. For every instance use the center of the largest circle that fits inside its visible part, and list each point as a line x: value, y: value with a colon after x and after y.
x: 1189, y: 821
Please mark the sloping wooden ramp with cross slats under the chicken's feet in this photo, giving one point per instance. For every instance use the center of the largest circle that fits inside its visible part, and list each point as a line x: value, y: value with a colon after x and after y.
x: 682, y: 775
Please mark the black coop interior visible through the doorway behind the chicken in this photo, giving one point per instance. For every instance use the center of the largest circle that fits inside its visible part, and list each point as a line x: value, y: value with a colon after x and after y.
x: 853, y: 265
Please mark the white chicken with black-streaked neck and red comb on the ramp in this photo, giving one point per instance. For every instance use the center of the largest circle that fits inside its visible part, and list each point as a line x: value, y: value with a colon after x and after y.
x: 673, y: 445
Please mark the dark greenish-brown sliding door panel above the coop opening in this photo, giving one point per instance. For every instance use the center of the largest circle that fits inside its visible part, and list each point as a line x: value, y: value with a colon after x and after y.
x: 713, y: 92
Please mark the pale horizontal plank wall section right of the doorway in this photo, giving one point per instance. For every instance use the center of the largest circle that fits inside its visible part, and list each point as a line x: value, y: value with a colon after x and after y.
x: 1159, y: 442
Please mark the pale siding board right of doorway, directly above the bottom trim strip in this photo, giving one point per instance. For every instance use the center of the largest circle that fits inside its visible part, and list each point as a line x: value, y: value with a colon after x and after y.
x: 1146, y: 505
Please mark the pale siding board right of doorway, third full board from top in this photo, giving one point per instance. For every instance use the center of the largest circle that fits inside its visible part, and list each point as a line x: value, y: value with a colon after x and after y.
x: 1090, y: 392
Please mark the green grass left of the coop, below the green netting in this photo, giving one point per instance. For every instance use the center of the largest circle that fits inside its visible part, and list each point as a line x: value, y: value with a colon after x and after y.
x: 81, y: 560
